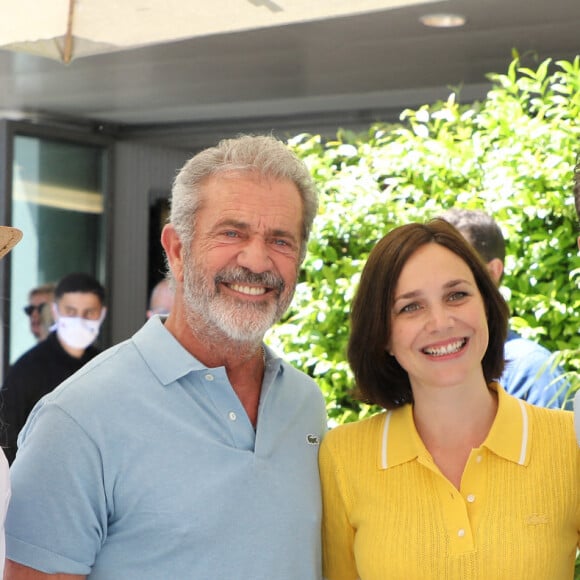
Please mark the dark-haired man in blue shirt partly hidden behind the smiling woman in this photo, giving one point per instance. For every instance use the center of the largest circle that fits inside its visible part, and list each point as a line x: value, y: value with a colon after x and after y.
x: 529, y: 373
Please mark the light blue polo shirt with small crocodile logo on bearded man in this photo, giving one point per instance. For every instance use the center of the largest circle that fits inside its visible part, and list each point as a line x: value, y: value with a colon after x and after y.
x: 144, y: 465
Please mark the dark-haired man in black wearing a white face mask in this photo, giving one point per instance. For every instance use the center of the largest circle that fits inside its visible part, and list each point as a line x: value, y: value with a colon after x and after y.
x: 78, y: 312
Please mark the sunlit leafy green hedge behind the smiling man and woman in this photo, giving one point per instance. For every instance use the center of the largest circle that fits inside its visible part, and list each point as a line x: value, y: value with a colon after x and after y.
x: 511, y: 155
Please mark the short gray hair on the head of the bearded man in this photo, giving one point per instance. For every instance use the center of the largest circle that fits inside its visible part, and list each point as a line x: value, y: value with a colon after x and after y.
x: 263, y: 155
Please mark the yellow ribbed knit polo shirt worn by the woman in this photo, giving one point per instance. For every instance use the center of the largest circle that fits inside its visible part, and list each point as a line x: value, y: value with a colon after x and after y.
x: 509, y: 521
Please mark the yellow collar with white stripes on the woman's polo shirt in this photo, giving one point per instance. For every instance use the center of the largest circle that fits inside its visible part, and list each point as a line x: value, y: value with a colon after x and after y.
x: 508, y: 437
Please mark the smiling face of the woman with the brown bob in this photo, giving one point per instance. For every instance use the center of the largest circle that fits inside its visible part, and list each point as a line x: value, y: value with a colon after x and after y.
x: 438, y: 325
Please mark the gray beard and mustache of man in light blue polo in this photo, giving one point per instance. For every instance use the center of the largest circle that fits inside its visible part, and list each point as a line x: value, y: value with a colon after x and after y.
x: 225, y: 316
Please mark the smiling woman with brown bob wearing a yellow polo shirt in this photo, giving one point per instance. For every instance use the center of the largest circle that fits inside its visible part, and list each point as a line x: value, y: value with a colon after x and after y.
x: 449, y: 479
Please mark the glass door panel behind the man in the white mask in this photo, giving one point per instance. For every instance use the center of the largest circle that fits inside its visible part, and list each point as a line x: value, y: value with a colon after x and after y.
x: 58, y: 197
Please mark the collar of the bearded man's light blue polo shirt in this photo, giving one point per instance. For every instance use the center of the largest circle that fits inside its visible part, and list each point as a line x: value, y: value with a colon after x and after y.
x: 157, y: 345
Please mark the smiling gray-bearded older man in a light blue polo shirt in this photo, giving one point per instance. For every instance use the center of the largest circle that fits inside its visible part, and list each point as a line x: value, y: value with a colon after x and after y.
x: 189, y: 451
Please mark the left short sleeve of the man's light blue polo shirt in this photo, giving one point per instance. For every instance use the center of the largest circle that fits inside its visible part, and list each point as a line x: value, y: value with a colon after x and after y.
x: 61, y: 531
